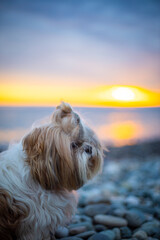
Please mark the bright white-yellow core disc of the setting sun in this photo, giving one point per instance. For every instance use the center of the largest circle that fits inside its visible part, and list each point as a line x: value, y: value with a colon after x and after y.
x: 123, y: 94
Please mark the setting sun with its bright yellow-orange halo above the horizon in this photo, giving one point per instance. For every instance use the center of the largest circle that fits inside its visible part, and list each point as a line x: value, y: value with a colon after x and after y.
x: 127, y: 96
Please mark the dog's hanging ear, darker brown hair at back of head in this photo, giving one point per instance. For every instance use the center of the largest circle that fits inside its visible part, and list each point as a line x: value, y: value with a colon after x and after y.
x: 37, y: 156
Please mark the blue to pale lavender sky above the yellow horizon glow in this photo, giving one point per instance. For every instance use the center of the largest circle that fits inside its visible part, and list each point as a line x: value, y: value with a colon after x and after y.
x: 101, y: 42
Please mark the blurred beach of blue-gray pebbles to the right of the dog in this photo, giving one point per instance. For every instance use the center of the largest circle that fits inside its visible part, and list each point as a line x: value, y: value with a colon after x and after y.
x: 121, y: 203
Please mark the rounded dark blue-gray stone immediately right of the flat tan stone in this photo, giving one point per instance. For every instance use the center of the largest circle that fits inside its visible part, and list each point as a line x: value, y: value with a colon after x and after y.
x: 135, y: 218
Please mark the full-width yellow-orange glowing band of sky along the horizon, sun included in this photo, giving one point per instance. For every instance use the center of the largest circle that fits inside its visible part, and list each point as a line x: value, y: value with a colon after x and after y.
x: 46, y: 92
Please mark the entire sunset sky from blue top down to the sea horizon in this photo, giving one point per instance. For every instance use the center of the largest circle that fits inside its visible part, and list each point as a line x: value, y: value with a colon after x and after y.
x: 89, y: 53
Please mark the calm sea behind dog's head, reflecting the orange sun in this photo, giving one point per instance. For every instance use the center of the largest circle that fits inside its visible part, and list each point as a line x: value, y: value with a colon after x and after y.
x: 118, y: 126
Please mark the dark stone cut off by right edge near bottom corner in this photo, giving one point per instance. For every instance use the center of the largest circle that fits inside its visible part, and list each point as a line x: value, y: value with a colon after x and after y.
x: 151, y: 228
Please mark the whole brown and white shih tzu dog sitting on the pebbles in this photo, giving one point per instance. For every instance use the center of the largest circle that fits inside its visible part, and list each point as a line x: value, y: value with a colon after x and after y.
x: 38, y: 176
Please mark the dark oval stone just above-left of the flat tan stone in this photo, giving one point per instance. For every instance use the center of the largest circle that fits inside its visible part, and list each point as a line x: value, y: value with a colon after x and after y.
x: 94, y: 209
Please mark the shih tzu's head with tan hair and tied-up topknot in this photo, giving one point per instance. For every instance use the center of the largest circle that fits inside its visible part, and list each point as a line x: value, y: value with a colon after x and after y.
x: 63, y: 154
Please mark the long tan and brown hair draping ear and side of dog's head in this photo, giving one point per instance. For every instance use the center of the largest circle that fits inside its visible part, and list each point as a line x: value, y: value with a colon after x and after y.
x: 49, y: 156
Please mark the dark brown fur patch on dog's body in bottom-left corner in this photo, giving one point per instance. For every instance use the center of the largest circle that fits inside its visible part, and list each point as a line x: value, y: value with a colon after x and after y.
x: 12, y: 213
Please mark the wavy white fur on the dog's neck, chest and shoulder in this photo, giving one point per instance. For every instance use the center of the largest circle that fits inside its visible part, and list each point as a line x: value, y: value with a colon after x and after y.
x: 46, y: 208
